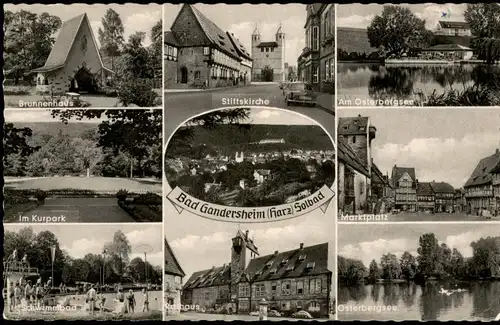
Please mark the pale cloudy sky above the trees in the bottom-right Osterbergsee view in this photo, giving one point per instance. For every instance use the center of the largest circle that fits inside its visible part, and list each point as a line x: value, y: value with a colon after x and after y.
x: 367, y: 242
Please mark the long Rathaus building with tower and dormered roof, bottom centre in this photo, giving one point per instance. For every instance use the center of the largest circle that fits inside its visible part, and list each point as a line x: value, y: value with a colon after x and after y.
x: 289, y: 281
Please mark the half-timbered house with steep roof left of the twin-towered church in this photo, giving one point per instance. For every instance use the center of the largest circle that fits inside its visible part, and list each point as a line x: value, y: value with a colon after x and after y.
x: 198, y: 53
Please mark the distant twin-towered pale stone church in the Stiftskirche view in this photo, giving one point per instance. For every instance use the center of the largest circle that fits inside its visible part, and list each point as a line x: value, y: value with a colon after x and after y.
x: 268, y: 57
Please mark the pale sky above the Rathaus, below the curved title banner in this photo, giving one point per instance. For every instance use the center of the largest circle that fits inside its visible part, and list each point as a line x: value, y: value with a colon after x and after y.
x: 199, y: 243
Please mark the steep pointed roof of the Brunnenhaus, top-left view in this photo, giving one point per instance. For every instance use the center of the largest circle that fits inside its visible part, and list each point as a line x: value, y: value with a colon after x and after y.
x: 64, y: 43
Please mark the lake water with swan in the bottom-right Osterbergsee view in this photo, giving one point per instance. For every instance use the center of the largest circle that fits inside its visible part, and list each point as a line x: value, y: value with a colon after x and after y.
x: 481, y: 301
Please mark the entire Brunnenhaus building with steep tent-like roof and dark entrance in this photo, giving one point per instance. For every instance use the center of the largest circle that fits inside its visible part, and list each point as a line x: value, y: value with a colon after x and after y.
x: 74, y: 63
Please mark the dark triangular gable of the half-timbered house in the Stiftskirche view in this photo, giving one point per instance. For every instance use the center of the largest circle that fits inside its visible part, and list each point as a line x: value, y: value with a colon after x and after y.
x: 187, y: 30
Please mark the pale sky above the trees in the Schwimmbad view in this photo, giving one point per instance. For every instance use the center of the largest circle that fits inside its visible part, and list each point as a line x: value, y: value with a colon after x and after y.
x: 79, y: 240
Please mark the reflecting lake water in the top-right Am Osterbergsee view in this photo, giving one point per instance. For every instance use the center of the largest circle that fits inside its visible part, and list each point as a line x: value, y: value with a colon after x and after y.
x: 358, y: 81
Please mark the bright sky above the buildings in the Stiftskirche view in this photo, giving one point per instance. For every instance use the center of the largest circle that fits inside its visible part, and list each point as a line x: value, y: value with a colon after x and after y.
x: 243, y: 18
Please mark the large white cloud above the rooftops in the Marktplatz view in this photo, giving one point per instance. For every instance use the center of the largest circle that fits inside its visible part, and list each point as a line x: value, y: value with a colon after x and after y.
x: 448, y: 160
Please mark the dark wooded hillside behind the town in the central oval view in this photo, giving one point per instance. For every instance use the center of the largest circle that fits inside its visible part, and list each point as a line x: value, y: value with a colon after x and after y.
x: 298, y: 136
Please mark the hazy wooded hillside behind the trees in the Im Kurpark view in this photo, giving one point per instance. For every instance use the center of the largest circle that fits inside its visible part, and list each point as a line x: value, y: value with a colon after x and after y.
x: 52, y: 128
